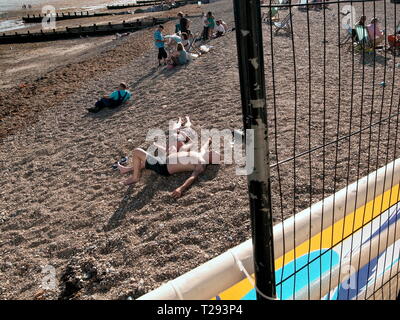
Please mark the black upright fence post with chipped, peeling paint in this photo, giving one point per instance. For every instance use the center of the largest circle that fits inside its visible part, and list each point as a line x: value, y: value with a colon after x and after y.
x: 252, y: 83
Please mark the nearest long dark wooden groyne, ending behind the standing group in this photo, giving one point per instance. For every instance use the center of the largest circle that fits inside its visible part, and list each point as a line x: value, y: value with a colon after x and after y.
x: 82, y: 31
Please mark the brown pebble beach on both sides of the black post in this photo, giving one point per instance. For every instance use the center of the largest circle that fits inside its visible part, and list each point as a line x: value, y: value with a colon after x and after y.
x: 61, y: 203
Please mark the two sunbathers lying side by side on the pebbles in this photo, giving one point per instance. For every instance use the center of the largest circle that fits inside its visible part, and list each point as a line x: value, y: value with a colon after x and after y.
x: 178, y: 157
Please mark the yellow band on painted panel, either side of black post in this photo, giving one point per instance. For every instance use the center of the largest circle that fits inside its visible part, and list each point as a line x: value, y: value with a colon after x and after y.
x: 331, y: 236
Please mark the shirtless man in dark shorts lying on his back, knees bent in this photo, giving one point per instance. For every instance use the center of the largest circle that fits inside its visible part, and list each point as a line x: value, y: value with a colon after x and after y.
x: 182, y: 161
